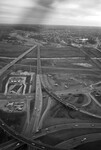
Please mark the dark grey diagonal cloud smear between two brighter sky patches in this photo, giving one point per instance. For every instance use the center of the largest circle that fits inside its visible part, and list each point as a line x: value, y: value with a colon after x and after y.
x: 41, y: 10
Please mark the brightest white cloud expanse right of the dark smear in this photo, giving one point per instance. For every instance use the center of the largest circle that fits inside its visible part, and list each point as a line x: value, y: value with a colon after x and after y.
x: 77, y: 12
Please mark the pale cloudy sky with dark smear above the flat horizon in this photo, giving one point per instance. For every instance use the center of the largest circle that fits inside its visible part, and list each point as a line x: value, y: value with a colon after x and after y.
x: 56, y: 12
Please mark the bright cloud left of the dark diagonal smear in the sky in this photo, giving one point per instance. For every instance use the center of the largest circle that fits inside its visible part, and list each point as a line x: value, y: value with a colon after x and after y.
x: 11, y: 11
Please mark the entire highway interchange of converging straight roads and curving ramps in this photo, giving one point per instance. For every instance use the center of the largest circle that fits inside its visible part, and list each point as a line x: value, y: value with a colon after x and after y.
x: 32, y: 127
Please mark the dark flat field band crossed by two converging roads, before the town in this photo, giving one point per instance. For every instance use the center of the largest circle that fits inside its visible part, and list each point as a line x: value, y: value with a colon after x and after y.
x: 9, y: 50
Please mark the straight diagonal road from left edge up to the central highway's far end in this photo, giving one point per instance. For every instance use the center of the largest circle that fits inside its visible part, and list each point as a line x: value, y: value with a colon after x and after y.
x: 16, y: 60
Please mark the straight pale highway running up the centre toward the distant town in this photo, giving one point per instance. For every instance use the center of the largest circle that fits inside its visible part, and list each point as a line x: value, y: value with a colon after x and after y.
x: 33, y: 125
